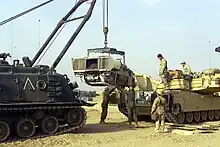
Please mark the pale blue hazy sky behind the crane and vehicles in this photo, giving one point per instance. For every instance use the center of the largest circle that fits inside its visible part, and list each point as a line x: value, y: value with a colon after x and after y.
x: 178, y: 29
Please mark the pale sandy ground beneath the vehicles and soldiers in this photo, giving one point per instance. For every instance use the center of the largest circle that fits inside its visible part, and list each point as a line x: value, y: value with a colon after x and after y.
x: 118, y: 134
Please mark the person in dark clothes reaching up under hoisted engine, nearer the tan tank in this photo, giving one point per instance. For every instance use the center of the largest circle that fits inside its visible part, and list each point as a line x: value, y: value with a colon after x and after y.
x: 130, y: 104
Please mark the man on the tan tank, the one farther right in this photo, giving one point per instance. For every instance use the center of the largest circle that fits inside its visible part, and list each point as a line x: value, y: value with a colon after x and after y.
x: 187, y: 73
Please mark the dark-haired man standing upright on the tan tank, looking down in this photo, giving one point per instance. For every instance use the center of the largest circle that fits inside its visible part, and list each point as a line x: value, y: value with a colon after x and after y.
x: 163, y: 72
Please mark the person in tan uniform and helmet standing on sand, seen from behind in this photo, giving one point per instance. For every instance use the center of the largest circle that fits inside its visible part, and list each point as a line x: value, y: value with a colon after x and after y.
x: 158, y: 110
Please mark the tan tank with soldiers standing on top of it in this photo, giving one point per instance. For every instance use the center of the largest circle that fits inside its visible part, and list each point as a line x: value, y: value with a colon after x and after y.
x: 200, y: 103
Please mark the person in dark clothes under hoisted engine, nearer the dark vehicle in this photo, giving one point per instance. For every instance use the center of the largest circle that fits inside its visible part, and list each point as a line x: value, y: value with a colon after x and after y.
x: 106, y: 98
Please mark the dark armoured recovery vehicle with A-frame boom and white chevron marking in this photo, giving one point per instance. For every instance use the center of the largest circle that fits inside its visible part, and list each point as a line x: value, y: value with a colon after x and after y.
x: 37, y: 101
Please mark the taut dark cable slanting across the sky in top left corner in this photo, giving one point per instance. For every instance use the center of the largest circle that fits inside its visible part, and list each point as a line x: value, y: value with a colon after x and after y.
x: 25, y: 12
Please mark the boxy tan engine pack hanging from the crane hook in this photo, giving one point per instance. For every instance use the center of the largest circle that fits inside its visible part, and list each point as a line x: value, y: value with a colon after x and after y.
x: 103, y: 70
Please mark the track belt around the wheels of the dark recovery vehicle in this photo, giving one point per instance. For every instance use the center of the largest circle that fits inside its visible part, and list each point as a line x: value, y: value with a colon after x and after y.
x: 48, y: 107
